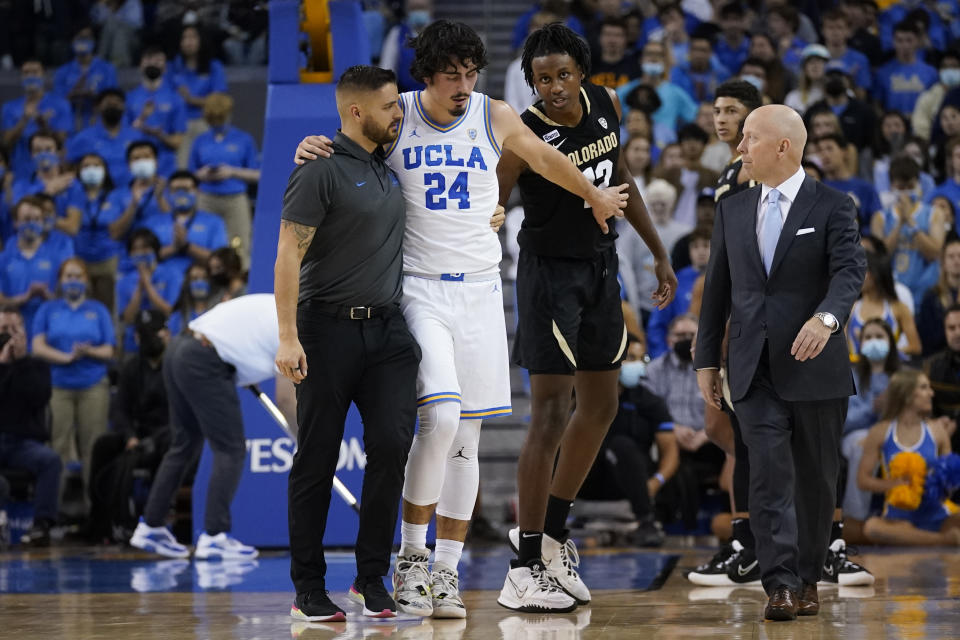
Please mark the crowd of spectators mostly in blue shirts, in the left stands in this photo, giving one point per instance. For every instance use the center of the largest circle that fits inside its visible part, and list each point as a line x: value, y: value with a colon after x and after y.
x: 124, y: 214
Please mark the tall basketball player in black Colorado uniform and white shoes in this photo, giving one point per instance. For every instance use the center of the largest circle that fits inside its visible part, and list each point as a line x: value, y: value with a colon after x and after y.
x: 570, y: 333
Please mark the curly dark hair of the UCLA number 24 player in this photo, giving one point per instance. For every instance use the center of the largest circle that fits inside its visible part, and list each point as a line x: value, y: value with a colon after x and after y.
x: 442, y: 43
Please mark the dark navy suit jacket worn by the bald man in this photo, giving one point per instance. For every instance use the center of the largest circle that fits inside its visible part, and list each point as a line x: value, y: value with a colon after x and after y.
x: 818, y: 270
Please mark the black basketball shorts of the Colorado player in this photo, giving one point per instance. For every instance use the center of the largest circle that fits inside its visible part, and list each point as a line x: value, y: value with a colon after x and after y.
x: 569, y: 314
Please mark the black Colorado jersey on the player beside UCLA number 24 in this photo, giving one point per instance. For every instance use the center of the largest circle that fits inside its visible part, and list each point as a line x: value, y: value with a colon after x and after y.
x: 556, y: 222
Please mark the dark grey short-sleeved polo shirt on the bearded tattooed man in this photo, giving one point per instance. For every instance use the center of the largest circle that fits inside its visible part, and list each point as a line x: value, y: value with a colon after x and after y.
x: 356, y: 204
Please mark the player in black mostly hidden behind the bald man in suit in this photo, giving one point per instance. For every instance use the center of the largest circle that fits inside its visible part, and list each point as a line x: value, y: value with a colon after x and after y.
x: 735, y: 562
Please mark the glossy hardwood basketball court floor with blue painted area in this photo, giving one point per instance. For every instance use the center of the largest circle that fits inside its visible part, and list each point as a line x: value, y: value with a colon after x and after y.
x: 114, y: 593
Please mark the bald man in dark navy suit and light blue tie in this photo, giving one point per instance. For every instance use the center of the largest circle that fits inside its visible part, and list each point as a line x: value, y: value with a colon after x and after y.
x: 785, y: 269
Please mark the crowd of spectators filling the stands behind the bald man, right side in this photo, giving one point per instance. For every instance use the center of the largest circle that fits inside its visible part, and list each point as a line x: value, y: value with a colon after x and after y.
x: 878, y: 86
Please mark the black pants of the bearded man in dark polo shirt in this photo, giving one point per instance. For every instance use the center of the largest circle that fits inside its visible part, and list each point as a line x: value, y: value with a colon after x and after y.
x: 372, y: 363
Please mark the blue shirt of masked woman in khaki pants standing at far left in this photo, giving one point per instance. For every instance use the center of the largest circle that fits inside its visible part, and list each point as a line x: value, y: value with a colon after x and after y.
x: 63, y: 327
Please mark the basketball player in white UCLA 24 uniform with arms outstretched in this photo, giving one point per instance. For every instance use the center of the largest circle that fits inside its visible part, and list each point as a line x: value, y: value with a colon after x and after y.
x: 445, y: 157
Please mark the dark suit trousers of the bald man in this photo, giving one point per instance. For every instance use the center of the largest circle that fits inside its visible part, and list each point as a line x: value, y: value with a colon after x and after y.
x: 794, y: 462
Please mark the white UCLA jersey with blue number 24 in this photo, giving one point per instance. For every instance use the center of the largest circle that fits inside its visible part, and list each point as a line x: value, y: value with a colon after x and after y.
x: 449, y: 179
